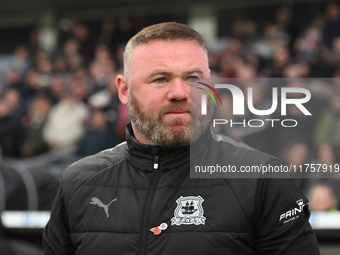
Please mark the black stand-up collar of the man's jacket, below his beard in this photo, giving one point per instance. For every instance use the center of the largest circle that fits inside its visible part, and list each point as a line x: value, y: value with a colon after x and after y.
x: 142, y: 156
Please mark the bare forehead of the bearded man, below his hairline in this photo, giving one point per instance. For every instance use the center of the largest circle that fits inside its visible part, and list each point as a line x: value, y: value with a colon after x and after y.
x: 160, y: 53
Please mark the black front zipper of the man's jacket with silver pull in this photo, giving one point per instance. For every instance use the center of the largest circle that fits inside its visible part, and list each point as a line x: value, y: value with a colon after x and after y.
x: 145, y: 230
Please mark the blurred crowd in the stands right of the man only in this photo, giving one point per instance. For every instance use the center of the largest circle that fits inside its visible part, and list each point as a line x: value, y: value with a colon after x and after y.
x: 306, y: 59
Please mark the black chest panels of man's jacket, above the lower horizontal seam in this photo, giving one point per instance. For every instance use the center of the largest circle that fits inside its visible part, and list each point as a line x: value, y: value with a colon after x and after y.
x: 131, y: 187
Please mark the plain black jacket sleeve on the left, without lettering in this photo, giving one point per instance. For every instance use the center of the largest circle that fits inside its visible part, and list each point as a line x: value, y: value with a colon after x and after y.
x: 56, y: 235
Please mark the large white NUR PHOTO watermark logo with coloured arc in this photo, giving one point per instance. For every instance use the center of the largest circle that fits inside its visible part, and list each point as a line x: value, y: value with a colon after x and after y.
x: 281, y: 97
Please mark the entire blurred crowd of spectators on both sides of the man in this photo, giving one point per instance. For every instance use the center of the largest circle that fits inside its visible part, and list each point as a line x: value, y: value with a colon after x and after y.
x: 66, y: 100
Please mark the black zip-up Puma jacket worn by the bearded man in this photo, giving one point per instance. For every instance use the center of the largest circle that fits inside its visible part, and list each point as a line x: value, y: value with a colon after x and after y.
x: 110, y: 203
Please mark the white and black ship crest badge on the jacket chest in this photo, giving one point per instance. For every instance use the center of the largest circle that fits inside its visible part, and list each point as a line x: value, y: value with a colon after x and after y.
x: 189, y: 211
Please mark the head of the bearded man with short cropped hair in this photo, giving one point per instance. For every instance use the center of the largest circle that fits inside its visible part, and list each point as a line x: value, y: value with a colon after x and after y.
x: 160, y: 62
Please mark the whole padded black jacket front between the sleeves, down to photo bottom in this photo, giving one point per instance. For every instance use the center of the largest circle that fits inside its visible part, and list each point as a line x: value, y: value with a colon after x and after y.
x: 225, y: 224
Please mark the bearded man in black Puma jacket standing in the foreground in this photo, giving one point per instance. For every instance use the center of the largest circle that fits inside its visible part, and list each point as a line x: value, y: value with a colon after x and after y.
x: 138, y: 198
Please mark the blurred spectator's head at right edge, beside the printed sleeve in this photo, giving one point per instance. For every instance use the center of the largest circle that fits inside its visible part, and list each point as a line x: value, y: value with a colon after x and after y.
x: 322, y: 198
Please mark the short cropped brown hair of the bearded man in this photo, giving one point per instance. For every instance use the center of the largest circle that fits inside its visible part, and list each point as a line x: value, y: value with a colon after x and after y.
x: 163, y: 31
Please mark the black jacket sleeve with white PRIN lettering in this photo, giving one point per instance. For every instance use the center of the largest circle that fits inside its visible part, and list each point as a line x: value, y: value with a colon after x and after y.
x: 280, y: 219
